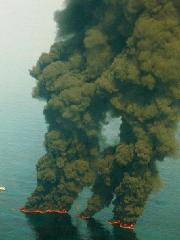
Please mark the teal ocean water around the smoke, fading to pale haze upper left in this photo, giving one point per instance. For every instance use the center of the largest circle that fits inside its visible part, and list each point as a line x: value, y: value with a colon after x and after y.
x: 27, y: 29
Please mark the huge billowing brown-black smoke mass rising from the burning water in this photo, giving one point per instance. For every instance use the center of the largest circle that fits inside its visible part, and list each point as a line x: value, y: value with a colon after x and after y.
x: 117, y: 56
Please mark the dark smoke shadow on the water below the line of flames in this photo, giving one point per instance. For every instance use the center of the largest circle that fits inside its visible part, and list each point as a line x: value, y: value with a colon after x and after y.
x: 60, y: 227
